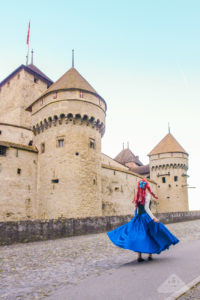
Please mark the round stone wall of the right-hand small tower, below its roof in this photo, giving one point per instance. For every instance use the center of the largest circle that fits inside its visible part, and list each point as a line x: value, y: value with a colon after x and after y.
x: 172, y: 194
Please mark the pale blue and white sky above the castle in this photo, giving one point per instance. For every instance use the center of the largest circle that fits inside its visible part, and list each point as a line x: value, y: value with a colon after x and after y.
x: 142, y: 57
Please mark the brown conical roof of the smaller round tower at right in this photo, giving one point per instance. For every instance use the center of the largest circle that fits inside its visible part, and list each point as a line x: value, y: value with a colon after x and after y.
x: 167, y: 144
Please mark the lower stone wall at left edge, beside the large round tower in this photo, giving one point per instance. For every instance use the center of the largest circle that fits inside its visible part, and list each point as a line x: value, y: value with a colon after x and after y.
x: 18, y: 188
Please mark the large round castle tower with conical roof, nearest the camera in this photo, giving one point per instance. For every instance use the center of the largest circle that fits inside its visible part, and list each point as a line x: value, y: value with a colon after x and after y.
x: 68, y: 123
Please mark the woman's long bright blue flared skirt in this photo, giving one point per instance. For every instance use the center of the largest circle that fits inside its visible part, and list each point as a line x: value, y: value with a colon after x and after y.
x: 142, y: 234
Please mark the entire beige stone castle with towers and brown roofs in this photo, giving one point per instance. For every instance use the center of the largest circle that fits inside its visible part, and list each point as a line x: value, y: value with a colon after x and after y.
x: 51, y: 165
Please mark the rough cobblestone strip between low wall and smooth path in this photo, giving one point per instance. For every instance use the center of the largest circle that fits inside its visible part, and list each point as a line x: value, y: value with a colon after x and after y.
x: 35, y: 270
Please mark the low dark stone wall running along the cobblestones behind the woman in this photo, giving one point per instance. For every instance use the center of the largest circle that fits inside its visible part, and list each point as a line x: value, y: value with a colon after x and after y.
x: 29, y: 231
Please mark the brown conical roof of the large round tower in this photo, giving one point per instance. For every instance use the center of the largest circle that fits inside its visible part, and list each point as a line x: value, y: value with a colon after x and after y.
x: 72, y: 79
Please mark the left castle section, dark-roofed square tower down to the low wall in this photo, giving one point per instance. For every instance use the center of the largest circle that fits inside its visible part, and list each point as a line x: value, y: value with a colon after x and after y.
x: 18, y: 156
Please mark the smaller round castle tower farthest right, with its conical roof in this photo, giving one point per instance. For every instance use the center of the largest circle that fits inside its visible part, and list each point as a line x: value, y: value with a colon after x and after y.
x: 168, y: 168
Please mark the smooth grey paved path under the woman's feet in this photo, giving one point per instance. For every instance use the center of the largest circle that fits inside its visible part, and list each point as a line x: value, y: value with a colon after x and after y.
x: 156, y: 280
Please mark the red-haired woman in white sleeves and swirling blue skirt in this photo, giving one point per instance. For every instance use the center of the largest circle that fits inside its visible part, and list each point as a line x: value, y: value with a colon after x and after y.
x: 144, y: 233
